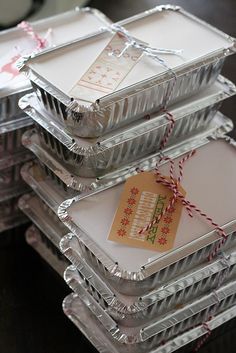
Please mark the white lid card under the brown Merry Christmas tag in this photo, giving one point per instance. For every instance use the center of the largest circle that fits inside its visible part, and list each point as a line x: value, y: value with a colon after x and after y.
x: 209, y: 180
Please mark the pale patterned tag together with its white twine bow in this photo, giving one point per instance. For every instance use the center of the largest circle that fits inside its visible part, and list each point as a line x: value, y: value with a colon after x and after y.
x: 114, y: 63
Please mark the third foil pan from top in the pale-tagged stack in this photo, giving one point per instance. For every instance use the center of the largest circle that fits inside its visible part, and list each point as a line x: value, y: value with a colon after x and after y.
x: 64, y: 178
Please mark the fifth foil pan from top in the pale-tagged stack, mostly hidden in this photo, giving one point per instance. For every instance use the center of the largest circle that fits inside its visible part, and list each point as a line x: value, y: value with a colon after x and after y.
x: 44, y: 218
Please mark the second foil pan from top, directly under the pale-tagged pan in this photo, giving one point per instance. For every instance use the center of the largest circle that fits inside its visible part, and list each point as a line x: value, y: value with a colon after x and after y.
x: 96, y: 157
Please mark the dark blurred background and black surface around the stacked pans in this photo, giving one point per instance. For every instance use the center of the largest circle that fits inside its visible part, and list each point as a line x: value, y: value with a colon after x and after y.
x: 31, y: 319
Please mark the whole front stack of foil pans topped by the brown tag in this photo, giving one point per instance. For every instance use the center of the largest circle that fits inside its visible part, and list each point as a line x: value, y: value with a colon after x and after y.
x: 107, y: 286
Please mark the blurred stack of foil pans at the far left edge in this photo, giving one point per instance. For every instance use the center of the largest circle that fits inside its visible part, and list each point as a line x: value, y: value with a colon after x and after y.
x: 13, y: 122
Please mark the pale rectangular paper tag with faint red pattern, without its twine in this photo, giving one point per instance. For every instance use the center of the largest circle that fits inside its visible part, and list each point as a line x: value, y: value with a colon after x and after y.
x: 107, y: 71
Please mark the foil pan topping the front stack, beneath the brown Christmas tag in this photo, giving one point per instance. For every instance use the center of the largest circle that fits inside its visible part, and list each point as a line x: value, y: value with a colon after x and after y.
x: 133, y: 270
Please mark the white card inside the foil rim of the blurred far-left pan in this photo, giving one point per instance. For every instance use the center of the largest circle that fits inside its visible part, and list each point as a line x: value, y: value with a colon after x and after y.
x: 64, y: 28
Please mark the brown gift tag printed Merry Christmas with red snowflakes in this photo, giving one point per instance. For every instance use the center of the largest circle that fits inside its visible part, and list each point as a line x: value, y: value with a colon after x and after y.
x: 142, y: 200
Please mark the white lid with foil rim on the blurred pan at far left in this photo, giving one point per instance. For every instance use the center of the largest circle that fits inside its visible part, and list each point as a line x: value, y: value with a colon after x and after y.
x: 63, y: 28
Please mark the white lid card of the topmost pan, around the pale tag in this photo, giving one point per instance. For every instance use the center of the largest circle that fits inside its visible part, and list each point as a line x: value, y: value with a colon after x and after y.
x: 167, y: 29
